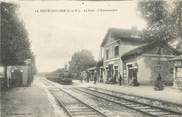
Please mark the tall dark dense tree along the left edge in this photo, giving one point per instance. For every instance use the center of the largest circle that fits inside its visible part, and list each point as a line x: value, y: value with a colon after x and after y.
x: 15, y: 45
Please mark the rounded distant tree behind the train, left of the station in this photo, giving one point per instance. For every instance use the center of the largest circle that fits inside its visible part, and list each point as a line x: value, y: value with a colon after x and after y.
x: 80, y: 61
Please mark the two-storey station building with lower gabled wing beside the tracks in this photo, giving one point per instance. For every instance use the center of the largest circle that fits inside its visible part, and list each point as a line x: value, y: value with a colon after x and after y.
x: 125, y: 53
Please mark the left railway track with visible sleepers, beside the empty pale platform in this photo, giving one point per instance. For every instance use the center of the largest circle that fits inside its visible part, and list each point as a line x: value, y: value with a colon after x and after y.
x: 72, y: 105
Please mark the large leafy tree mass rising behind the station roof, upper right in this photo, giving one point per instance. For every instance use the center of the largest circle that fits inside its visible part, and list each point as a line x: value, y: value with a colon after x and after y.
x: 163, y: 20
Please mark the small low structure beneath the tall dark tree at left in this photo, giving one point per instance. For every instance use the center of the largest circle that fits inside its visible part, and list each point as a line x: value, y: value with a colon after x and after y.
x: 17, y: 76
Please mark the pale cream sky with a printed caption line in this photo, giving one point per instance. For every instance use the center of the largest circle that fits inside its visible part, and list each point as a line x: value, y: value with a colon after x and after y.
x: 56, y: 35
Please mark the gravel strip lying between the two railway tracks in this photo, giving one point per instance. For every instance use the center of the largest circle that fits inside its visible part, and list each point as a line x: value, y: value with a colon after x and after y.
x: 109, y: 108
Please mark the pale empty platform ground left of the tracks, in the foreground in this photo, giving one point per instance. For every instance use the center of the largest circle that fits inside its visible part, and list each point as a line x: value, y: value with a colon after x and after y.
x: 33, y: 101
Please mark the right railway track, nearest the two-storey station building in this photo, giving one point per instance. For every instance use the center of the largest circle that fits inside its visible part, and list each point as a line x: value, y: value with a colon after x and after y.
x: 147, y: 109
